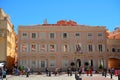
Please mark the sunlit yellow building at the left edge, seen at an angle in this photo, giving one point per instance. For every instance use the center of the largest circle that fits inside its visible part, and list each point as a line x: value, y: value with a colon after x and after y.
x: 7, y: 40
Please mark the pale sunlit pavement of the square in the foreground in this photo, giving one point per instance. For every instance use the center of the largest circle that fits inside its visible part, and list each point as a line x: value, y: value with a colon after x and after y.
x: 59, y: 77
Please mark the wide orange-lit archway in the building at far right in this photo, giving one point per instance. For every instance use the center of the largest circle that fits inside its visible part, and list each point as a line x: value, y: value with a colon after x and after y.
x: 113, y: 63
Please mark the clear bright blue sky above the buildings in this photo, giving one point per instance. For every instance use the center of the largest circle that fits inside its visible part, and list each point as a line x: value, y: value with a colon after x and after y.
x: 84, y: 12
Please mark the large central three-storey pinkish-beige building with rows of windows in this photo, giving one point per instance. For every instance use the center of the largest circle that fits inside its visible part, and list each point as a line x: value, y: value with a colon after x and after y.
x: 62, y: 44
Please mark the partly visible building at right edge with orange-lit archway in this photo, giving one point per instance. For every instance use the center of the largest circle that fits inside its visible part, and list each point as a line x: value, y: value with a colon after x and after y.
x: 113, y: 43
